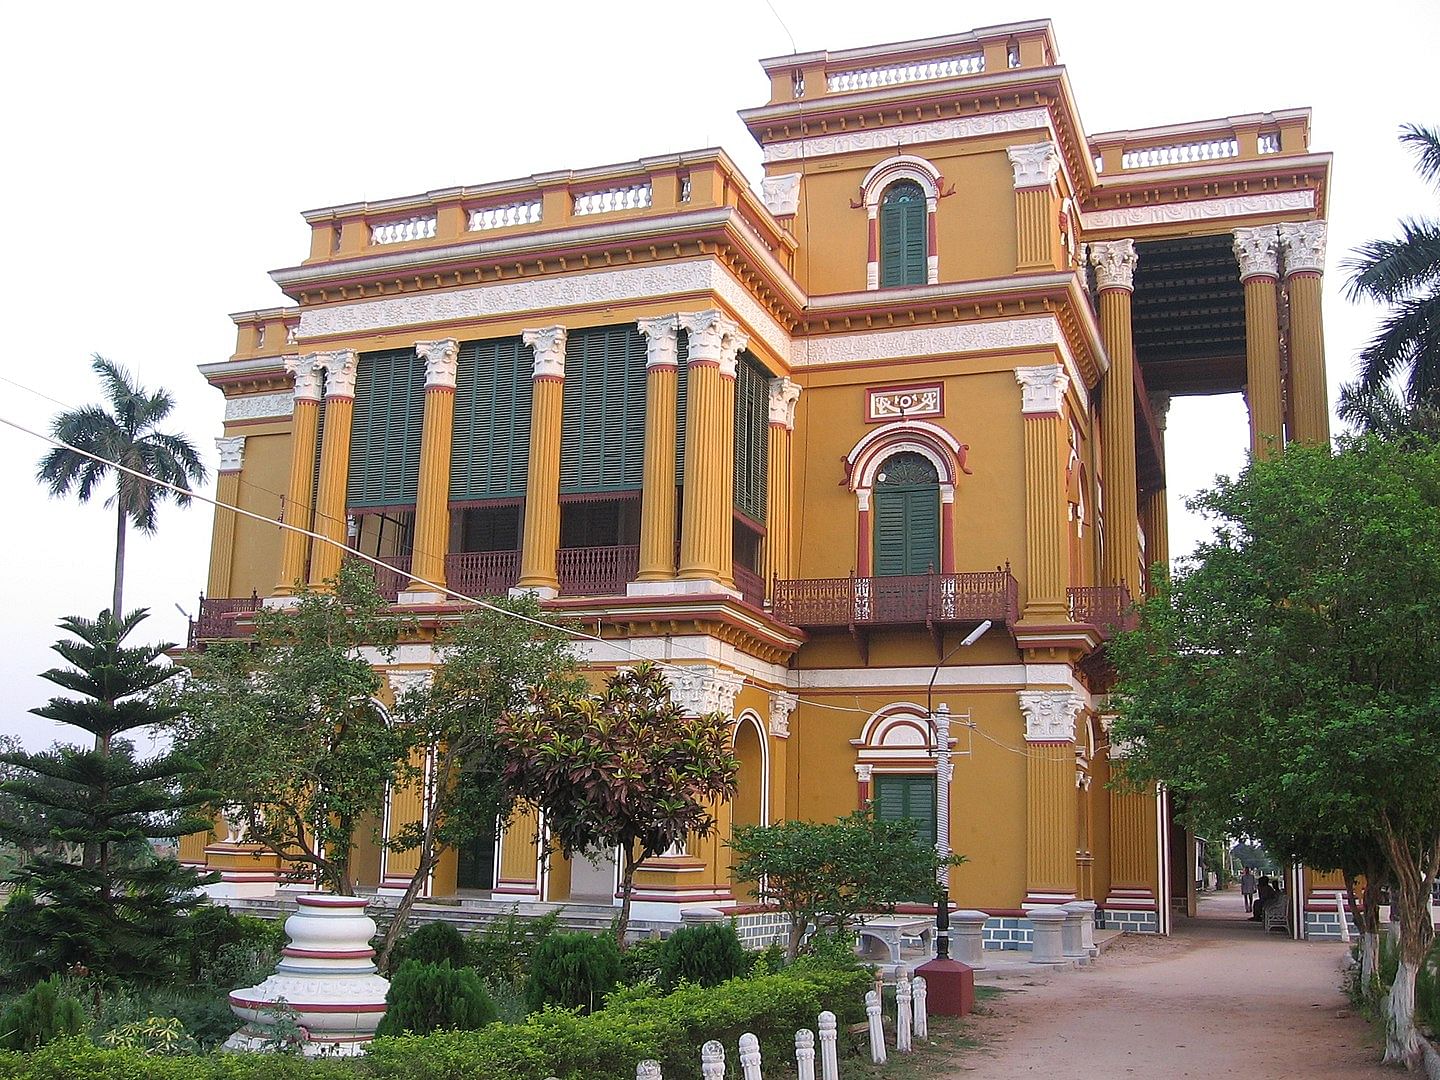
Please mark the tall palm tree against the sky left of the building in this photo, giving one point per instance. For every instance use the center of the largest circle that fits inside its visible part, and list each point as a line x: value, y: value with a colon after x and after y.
x: 97, y: 440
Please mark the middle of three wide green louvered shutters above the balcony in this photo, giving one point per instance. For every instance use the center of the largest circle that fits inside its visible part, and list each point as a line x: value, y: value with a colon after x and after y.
x: 490, y: 451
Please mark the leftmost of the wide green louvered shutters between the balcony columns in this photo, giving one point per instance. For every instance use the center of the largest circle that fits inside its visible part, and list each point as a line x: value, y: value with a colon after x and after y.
x: 385, y: 431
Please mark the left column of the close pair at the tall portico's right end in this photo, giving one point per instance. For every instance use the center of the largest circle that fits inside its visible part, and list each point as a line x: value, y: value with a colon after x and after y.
x: 1259, y: 256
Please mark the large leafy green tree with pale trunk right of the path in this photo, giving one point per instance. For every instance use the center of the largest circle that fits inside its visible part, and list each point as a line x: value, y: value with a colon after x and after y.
x: 1285, y: 680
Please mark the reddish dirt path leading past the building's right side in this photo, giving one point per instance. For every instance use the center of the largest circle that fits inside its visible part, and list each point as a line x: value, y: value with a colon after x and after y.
x: 1222, y: 999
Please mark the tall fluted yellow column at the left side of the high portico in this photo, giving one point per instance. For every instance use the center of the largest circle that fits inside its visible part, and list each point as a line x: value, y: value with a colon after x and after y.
x: 1115, y: 280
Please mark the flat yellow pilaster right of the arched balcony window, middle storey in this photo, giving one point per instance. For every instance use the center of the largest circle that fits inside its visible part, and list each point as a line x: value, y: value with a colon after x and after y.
x: 1042, y: 401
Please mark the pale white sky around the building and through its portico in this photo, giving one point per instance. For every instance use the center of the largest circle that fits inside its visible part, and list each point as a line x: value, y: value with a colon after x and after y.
x: 159, y: 158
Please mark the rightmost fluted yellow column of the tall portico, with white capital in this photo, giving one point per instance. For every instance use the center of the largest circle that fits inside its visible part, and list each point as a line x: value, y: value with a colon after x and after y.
x: 1304, y: 244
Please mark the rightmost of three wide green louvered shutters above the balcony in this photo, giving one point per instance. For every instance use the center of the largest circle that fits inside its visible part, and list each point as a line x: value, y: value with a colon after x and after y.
x: 603, y: 430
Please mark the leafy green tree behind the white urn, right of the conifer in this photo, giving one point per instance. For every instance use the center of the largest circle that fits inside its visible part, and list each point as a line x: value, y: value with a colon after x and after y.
x: 289, y: 726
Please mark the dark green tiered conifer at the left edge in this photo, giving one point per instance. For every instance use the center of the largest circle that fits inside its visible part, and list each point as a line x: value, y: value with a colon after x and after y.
x: 117, y: 909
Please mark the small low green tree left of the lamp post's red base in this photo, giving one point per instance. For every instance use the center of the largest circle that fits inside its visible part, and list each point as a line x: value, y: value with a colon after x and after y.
x: 830, y: 876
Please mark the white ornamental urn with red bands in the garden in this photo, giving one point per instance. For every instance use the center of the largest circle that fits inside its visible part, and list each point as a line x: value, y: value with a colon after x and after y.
x: 326, y: 984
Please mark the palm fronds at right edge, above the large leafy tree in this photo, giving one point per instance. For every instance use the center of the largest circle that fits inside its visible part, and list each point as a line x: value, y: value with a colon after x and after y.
x: 1405, y: 274
